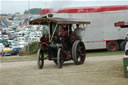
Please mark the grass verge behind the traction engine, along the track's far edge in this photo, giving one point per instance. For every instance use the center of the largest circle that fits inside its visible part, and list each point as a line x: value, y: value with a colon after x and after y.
x: 34, y: 57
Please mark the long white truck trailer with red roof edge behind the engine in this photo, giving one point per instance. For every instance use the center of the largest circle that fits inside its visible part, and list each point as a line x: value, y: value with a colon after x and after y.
x: 105, y: 31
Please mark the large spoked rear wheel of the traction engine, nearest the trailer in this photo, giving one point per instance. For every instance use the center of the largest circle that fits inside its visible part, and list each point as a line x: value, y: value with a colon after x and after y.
x: 78, y: 52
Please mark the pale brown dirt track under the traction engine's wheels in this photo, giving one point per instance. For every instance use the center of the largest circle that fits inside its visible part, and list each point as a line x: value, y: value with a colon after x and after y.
x: 103, y: 70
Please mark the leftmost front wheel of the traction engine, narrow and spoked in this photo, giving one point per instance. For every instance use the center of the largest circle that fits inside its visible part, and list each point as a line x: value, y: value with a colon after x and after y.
x: 40, y: 58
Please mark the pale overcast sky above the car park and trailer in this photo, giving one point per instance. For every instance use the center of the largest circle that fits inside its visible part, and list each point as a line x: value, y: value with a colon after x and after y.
x: 12, y: 6
